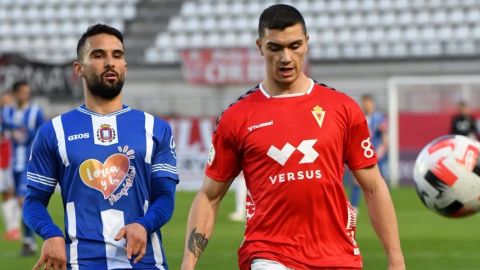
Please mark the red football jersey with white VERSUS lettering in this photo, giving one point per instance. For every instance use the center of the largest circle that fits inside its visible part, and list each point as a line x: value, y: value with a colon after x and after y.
x: 292, y: 150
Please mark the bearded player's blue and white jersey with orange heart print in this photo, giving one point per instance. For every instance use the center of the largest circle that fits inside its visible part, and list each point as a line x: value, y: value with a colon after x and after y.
x: 105, y: 166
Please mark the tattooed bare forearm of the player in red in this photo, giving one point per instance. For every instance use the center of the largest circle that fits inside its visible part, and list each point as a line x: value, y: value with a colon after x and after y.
x: 201, y: 220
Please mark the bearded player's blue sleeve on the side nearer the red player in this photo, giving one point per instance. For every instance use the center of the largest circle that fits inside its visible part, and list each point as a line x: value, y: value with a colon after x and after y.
x: 164, y: 159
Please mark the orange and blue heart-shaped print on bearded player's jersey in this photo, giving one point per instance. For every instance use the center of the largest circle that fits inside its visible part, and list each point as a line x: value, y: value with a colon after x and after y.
x: 113, y: 177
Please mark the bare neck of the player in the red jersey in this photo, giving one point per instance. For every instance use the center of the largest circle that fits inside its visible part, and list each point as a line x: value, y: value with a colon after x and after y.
x: 299, y: 86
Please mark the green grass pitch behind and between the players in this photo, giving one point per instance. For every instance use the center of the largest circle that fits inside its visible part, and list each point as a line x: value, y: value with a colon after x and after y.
x: 428, y: 240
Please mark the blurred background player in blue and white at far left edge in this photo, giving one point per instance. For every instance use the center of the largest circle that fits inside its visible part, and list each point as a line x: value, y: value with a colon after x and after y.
x: 21, y: 121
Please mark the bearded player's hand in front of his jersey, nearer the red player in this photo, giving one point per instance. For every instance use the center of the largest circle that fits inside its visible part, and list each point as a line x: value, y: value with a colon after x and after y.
x: 136, y: 237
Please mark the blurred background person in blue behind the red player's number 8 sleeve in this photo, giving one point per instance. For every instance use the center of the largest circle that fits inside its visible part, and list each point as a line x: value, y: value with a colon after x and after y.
x: 378, y: 128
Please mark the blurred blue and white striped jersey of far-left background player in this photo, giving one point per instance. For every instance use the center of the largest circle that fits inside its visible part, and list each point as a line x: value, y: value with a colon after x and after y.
x: 21, y: 125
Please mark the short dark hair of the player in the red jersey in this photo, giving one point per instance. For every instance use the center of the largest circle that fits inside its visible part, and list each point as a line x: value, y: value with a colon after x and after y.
x: 279, y: 17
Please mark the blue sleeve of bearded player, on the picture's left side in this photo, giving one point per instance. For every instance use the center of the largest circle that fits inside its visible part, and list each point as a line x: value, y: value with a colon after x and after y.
x: 43, y: 165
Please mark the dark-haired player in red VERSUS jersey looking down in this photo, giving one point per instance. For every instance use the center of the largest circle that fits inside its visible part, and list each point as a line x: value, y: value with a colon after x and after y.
x: 291, y: 136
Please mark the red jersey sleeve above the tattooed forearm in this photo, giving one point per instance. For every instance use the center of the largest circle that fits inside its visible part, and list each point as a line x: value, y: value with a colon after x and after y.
x: 223, y: 161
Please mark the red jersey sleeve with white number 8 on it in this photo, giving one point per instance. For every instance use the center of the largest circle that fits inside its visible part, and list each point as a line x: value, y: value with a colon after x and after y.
x: 360, y: 151
